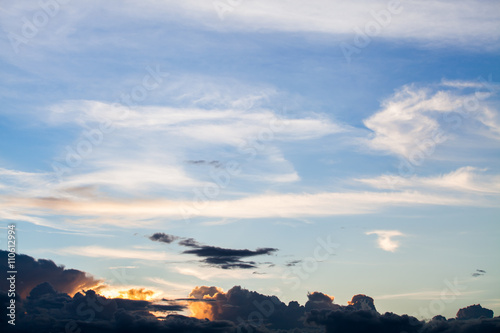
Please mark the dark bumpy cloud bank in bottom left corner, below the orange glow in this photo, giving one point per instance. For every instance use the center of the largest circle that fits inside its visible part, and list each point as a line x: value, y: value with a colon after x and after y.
x: 45, y: 310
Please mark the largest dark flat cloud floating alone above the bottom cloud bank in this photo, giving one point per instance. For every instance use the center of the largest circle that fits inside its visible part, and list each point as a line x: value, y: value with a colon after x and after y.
x: 216, y: 256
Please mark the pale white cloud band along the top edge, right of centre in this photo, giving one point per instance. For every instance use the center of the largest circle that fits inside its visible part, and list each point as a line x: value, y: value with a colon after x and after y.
x: 416, y: 20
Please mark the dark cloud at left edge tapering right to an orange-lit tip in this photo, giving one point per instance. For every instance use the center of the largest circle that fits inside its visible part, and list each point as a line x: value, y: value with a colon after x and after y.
x: 32, y: 272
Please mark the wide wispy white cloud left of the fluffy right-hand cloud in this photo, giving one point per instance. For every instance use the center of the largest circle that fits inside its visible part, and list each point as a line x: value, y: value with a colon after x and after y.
x: 205, y: 126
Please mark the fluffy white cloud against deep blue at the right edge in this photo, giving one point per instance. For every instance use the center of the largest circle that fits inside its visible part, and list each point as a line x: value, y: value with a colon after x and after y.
x: 415, y: 120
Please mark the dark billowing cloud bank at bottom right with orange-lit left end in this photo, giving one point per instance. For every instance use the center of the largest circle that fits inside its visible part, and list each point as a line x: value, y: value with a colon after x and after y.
x: 251, y: 310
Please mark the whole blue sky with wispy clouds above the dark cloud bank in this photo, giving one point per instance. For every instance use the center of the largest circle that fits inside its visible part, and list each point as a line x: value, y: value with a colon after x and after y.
x: 287, y: 147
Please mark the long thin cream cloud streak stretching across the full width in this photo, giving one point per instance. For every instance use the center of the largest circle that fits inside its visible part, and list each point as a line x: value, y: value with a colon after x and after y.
x: 148, y: 212
